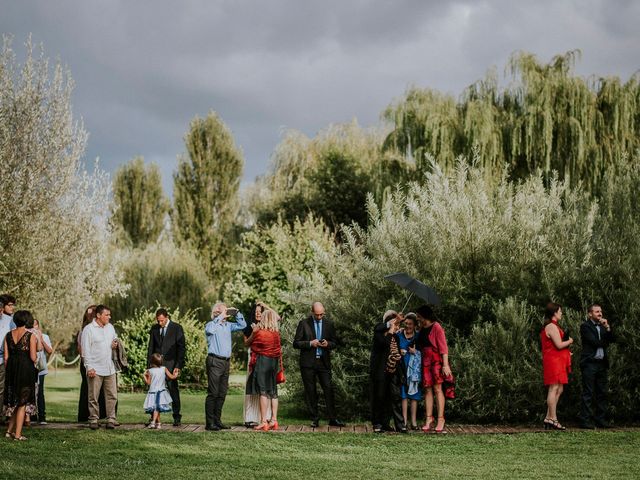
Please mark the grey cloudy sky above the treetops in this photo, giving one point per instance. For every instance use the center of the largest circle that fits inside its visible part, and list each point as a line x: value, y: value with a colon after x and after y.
x: 144, y: 69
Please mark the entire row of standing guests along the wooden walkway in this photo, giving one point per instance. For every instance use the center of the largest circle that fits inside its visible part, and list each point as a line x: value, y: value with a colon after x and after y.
x: 409, y: 362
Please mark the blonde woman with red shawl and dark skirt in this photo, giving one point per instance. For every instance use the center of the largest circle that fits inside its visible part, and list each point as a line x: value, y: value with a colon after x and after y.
x: 265, y: 363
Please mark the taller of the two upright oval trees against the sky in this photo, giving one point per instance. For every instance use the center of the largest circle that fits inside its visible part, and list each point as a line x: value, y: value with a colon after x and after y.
x: 206, y: 193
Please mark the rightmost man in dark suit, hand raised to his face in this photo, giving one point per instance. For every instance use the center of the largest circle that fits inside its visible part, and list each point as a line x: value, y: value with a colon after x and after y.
x: 596, y: 336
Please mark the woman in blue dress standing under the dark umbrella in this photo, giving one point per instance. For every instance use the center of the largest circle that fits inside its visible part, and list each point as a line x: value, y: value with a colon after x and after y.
x: 412, y: 361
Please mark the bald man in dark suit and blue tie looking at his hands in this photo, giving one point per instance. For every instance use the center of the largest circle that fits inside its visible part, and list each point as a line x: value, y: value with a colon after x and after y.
x: 315, y: 338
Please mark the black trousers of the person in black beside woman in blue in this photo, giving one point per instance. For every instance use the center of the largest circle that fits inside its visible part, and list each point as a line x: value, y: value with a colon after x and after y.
x: 386, y: 402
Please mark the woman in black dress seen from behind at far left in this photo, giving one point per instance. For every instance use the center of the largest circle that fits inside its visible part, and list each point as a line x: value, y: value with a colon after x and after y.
x: 20, y: 353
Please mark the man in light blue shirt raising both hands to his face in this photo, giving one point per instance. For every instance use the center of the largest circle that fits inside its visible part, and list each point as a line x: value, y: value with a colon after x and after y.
x: 218, y: 334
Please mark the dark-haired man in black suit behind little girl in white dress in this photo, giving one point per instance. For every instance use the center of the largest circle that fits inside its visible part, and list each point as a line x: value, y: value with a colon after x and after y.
x: 167, y: 339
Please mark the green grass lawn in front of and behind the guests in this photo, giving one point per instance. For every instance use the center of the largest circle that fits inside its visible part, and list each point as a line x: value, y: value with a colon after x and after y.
x: 144, y: 454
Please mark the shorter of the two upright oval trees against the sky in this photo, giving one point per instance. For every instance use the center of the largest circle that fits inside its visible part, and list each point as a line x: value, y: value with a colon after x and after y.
x: 140, y: 206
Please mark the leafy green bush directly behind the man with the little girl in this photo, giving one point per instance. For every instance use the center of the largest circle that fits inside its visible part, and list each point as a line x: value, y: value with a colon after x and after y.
x: 134, y: 333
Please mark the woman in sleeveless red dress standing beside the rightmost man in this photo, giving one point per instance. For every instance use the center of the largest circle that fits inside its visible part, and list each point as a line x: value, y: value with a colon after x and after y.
x: 556, y: 362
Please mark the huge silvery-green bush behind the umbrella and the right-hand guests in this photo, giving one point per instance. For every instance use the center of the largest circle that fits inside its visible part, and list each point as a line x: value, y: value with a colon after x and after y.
x: 496, y: 252
